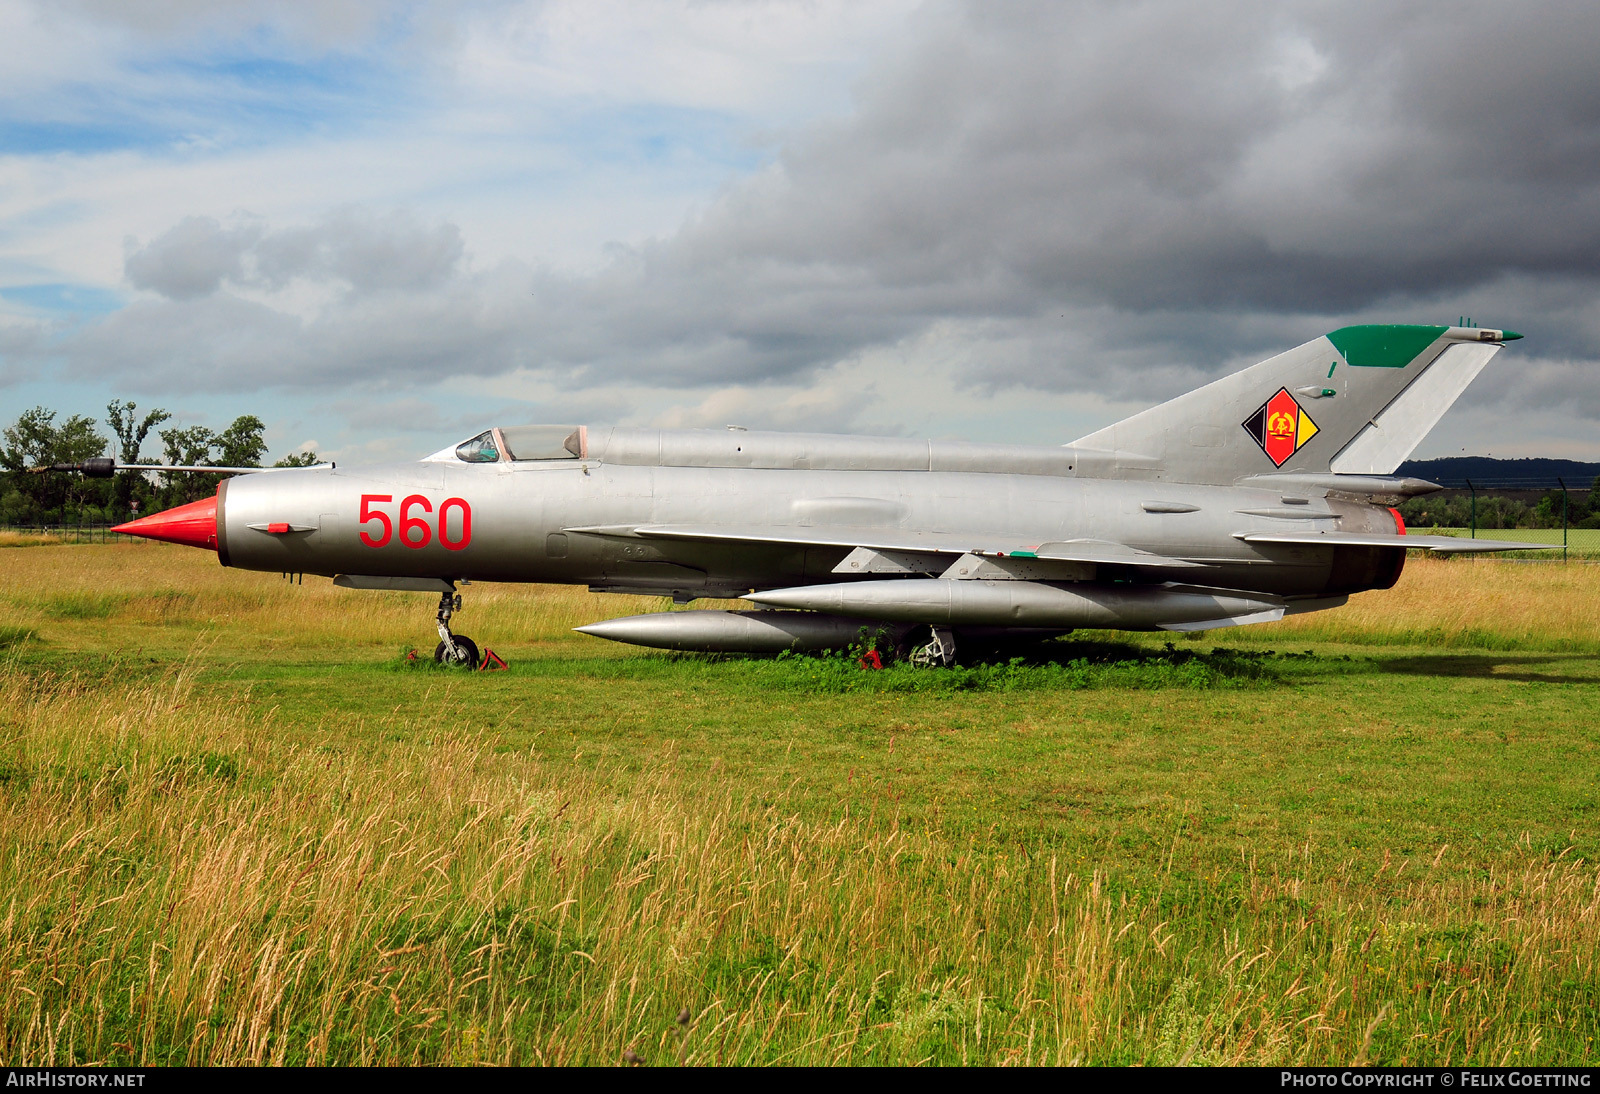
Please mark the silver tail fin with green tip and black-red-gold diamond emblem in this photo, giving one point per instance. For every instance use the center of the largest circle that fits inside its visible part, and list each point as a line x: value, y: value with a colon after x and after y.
x: 1358, y: 401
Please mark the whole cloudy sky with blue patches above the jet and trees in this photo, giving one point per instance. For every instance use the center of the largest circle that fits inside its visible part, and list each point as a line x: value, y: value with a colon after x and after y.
x: 385, y: 226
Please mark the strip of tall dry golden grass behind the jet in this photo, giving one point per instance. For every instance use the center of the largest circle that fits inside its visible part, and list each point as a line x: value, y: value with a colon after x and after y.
x: 130, y: 593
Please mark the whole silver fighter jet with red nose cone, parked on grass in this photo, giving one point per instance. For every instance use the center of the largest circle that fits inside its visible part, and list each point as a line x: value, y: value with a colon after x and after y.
x: 1263, y: 495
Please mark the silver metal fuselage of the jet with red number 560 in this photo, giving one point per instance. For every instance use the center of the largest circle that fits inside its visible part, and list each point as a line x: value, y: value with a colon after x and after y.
x: 519, y: 522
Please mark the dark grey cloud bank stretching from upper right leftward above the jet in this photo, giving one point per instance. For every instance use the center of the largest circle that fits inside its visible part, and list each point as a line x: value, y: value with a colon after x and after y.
x: 1097, y: 196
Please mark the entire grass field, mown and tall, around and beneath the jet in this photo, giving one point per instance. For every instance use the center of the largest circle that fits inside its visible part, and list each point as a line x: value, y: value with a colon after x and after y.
x: 238, y: 826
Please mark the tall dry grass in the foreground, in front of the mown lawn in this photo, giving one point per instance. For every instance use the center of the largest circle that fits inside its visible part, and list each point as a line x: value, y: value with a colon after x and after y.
x: 190, y: 882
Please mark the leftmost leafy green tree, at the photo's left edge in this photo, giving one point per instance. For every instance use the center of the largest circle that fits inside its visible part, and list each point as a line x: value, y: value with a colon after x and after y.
x: 34, y: 441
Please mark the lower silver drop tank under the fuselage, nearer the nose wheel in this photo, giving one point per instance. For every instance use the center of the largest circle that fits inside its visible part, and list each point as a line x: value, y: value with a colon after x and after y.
x: 708, y: 631
